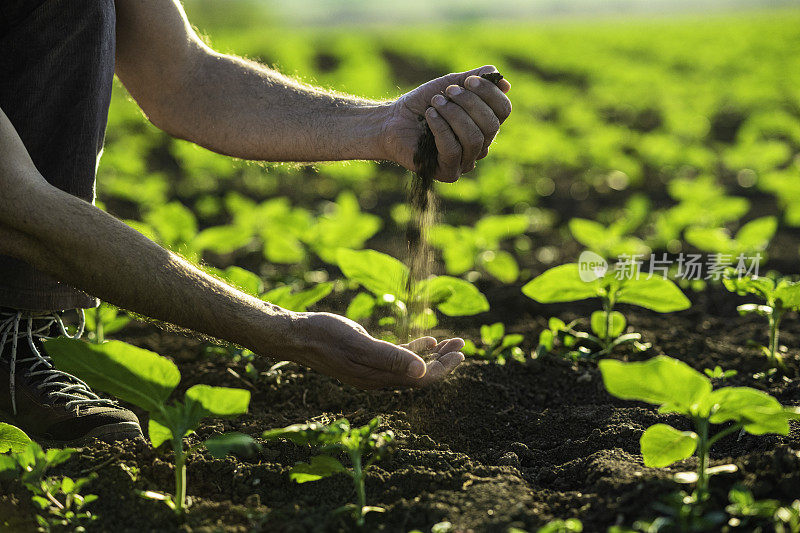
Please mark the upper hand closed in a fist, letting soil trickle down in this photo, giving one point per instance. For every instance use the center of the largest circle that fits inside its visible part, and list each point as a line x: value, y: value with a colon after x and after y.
x: 464, y: 112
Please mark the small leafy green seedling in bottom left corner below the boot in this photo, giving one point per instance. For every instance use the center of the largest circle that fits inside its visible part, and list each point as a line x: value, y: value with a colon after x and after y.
x: 59, y: 500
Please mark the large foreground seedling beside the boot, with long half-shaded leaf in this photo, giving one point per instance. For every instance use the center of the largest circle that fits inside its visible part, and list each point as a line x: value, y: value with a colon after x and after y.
x: 147, y: 380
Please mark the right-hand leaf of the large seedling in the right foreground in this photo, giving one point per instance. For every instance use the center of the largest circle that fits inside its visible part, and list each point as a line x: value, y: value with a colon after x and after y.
x: 757, y: 410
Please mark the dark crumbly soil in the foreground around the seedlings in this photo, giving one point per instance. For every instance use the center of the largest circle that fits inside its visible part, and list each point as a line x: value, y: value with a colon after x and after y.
x: 493, y: 446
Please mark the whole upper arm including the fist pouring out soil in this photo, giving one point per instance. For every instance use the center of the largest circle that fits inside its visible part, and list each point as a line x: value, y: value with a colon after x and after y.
x: 237, y: 107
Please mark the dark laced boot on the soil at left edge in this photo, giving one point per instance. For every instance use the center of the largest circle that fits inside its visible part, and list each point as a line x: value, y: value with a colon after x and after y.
x: 54, y: 408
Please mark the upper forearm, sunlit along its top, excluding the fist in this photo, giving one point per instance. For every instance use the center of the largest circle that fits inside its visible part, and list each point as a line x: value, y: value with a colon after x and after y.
x: 240, y: 108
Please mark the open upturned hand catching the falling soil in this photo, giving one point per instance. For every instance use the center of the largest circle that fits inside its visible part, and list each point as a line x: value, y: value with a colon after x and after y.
x: 341, y: 348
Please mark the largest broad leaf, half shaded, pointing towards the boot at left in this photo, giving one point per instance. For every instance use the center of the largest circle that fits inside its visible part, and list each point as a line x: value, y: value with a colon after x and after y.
x: 132, y: 374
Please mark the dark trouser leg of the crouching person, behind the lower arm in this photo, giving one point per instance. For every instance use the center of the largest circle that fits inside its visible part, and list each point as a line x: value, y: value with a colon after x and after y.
x: 56, y: 74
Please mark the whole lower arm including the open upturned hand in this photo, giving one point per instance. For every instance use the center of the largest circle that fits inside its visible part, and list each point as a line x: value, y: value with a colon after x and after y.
x: 89, y: 249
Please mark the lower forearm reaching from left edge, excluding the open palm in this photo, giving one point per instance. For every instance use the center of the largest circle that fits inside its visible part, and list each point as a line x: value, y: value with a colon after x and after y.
x: 85, y: 247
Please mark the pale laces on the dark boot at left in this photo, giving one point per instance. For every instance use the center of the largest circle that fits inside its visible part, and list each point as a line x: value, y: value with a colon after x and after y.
x: 16, y: 326
